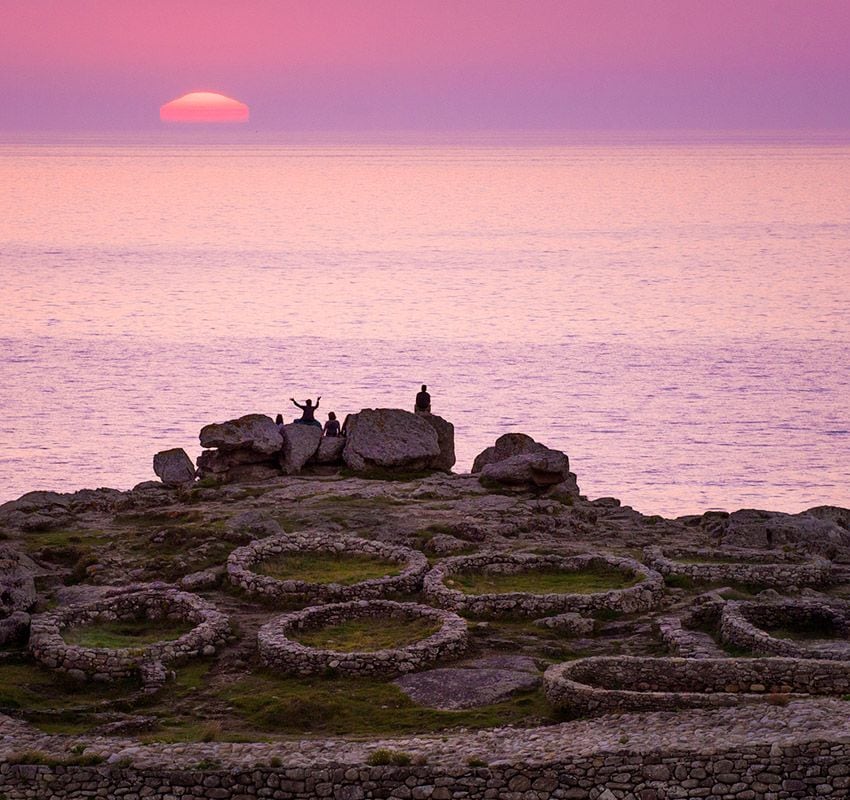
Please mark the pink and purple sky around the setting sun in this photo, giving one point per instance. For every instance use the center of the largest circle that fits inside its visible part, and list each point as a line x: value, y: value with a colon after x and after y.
x: 430, y: 64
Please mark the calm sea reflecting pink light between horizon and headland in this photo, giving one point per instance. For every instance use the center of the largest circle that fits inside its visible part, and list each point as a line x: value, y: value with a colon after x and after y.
x: 671, y: 311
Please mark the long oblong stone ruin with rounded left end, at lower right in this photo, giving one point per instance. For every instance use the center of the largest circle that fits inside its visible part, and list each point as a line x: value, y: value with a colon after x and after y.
x: 606, y: 684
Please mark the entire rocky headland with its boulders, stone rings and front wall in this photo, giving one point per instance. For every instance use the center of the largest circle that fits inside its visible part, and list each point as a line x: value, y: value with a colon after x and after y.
x: 719, y: 668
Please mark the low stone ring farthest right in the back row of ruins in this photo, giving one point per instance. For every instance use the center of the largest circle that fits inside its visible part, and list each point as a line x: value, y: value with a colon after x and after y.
x: 772, y: 568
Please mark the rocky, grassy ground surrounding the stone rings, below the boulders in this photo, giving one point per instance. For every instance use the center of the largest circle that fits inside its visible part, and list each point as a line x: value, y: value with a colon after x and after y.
x: 60, y: 549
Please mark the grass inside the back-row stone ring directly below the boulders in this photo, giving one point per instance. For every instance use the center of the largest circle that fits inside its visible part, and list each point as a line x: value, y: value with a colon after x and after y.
x: 318, y: 567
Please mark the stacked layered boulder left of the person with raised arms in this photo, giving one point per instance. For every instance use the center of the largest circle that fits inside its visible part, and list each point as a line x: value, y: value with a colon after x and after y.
x: 246, y: 449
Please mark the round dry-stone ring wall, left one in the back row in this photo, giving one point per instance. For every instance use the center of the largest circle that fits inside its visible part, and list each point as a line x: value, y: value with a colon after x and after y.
x: 242, y: 564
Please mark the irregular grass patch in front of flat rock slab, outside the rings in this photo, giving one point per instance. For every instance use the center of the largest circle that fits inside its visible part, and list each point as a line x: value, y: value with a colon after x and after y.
x: 362, y: 706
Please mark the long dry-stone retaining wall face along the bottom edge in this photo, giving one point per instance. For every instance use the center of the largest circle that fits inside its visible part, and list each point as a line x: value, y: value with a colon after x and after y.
x: 763, y: 772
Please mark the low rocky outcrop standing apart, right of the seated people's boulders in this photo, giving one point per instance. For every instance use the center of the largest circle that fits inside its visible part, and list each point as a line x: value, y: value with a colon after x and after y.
x: 517, y: 460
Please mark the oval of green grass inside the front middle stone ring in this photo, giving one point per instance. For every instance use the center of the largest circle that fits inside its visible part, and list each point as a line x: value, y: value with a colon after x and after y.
x: 366, y: 635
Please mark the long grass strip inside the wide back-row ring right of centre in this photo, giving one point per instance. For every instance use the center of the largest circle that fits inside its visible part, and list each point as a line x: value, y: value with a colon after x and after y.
x: 543, y: 581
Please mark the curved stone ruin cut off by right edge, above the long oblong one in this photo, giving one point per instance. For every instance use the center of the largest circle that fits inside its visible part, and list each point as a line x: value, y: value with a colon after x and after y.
x: 749, y: 624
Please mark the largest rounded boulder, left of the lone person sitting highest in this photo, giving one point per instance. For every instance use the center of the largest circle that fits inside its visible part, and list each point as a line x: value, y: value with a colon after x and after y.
x: 390, y: 438
